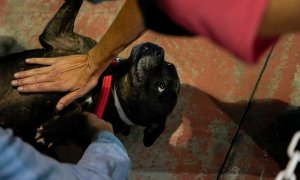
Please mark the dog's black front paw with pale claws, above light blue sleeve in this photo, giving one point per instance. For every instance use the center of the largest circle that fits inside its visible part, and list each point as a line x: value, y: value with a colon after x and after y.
x: 51, y: 133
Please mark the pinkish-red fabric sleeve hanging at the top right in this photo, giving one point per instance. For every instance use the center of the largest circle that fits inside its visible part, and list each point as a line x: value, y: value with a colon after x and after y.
x: 232, y: 24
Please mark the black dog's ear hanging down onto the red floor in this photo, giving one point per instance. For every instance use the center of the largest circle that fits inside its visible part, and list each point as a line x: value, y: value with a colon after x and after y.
x: 152, y: 132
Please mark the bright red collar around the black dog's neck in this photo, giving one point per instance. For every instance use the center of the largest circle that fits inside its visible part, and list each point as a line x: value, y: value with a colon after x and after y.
x: 104, y: 93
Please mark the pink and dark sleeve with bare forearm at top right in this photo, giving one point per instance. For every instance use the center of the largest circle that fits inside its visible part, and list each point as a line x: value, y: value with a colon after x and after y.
x: 246, y: 28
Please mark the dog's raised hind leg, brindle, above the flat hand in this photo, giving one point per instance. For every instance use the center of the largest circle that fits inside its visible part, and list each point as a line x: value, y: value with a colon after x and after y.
x: 59, y: 34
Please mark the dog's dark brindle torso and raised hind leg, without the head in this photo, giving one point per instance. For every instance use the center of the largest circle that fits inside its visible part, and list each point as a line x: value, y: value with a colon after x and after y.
x: 17, y: 110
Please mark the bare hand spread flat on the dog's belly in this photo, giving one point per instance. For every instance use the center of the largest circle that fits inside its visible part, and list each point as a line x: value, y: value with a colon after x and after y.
x: 76, y: 74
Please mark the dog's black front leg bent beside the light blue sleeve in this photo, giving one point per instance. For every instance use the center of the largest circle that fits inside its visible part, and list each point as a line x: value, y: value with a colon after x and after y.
x: 69, y: 126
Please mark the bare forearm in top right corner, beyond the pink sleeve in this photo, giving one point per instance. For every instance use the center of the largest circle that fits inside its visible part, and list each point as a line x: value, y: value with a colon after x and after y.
x: 281, y: 16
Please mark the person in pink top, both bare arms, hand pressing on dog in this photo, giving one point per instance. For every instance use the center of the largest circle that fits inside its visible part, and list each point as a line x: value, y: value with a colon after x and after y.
x: 244, y: 27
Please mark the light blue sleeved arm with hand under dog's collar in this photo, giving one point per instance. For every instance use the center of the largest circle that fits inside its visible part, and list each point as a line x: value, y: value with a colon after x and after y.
x: 105, y: 158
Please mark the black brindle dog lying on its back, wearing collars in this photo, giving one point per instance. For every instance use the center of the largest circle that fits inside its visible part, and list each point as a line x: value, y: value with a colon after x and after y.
x: 144, y: 91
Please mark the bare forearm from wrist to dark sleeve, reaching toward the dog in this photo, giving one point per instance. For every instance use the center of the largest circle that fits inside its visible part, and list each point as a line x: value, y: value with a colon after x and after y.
x: 127, y: 27
